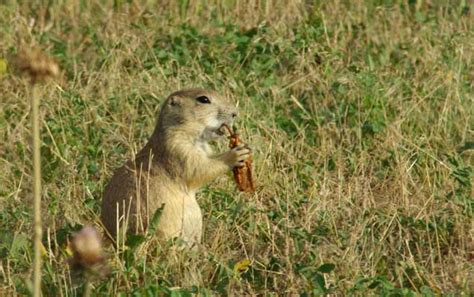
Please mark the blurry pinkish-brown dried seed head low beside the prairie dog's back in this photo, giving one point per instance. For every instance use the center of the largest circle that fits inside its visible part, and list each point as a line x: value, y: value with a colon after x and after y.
x: 87, y: 247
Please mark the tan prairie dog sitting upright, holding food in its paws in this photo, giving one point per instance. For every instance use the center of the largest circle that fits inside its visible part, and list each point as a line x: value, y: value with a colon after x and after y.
x: 172, y: 166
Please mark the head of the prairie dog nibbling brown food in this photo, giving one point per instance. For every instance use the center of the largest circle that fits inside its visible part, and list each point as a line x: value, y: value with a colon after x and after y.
x: 202, y: 112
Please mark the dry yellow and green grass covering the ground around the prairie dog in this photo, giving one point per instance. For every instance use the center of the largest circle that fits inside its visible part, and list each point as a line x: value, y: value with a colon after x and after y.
x: 359, y: 116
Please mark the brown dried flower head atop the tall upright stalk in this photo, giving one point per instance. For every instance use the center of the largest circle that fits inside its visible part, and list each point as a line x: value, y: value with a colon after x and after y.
x: 36, y: 64
